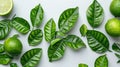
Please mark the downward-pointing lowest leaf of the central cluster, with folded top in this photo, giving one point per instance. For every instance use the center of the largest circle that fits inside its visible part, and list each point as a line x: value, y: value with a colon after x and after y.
x: 56, y: 50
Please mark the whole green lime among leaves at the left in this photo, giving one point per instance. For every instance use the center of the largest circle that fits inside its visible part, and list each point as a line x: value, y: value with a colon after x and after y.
x: 13, y: 46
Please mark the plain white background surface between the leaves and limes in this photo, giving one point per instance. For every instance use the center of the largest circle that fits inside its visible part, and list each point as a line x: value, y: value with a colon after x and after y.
x: 53, y: 9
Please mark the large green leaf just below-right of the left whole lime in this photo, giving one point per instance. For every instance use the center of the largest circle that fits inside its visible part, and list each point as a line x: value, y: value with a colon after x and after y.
x: 31, y: 58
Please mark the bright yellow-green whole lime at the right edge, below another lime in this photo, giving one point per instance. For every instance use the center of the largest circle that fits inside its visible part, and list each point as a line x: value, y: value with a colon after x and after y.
x: 113, y: 27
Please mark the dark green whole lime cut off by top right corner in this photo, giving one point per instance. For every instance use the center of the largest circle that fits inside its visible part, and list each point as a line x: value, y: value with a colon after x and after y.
x: 115, y: 8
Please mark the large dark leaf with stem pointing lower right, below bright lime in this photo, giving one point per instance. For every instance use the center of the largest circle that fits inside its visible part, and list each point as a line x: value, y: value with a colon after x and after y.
x: 97, y: 41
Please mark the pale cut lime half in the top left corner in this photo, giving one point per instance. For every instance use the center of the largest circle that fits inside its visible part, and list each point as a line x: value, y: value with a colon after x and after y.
x: 5, y: 6
